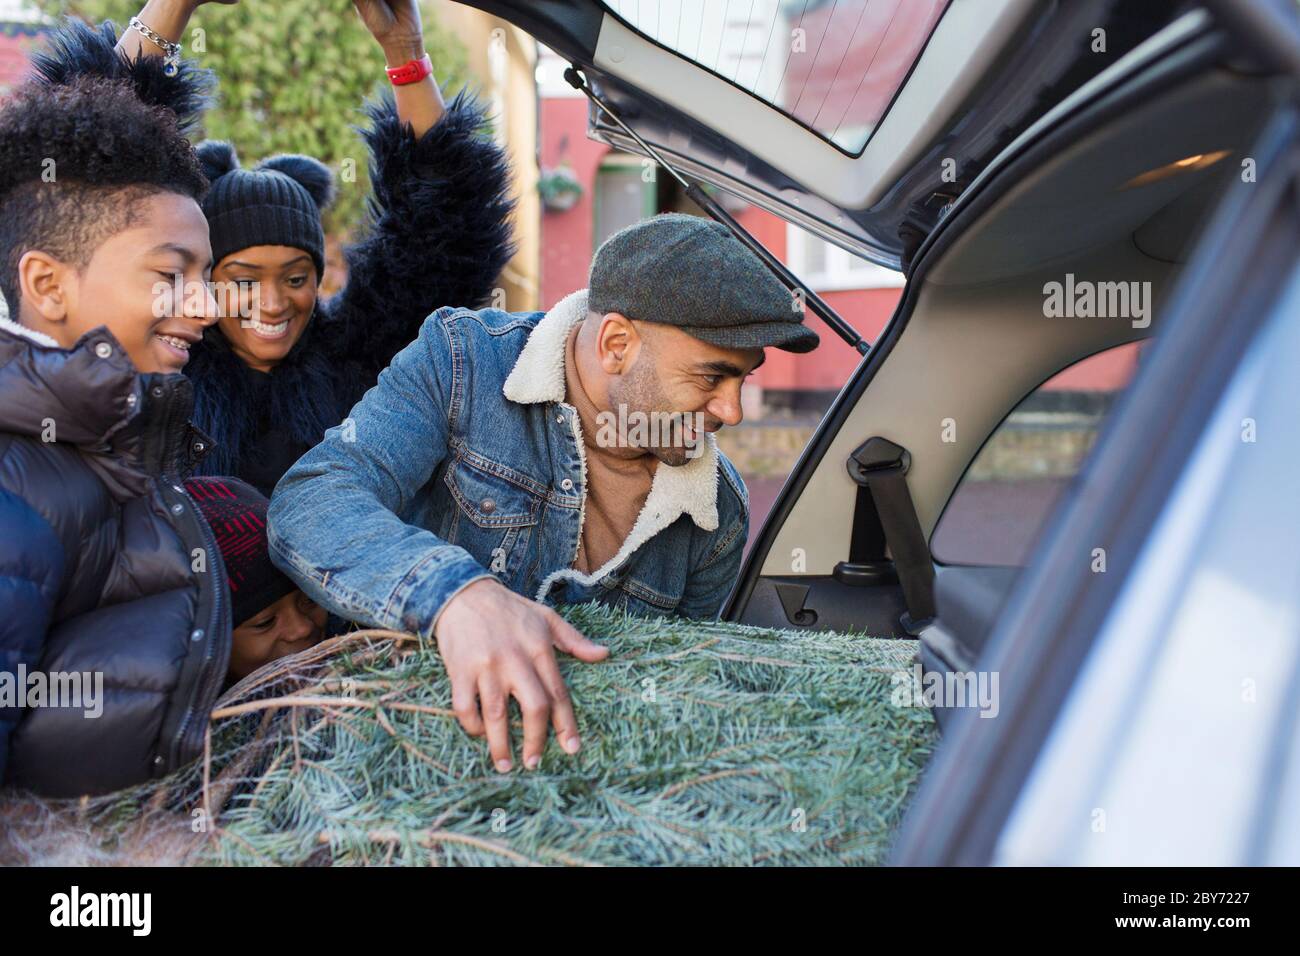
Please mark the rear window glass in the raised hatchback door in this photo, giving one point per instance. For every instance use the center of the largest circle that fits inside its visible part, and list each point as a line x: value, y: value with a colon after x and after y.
x: 834, y: 66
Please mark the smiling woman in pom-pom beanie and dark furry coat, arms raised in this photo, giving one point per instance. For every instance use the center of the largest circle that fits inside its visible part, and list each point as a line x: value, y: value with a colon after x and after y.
x: 284, y: 365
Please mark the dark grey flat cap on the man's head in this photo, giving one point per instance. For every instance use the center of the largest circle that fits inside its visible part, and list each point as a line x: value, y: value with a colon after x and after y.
x: 694, y: 274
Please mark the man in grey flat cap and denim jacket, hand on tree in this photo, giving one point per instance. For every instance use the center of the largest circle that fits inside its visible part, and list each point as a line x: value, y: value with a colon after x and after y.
x: 510, y: 460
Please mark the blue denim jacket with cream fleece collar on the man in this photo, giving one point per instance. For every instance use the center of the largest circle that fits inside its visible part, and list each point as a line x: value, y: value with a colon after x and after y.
x: 466, y: 462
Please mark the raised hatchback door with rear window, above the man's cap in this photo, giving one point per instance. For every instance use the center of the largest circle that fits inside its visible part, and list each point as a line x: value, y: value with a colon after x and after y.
x: 859, y: 120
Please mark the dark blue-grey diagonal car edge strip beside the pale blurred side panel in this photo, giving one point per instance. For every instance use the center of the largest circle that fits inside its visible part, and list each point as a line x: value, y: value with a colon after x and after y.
x: 1234, y: 278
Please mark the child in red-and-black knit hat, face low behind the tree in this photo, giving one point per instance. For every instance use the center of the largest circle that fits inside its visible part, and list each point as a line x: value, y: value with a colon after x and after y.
x: 272, y: 618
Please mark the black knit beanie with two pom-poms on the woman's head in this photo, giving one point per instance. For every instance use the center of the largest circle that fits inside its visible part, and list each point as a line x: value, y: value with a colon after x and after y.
x: 276, y: 204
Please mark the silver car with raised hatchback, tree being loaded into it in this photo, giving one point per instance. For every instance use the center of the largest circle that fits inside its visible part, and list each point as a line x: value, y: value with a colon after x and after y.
x: 1055, y: 180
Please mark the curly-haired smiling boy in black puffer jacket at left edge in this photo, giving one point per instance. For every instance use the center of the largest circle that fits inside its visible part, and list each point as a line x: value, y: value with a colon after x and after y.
x: 115, y: 618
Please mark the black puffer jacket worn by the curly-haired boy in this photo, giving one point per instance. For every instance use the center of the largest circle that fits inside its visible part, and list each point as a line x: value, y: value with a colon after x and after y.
x: 106, y: 565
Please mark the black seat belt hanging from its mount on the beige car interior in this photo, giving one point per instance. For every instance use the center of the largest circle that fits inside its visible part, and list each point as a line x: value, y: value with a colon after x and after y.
x: 885, y: 514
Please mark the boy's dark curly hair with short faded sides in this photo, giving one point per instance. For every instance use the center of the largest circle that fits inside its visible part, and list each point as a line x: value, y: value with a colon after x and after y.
x: 76, y: 158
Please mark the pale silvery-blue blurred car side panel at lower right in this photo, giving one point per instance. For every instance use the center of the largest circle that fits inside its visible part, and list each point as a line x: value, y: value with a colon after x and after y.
x: 1199, y: 656
